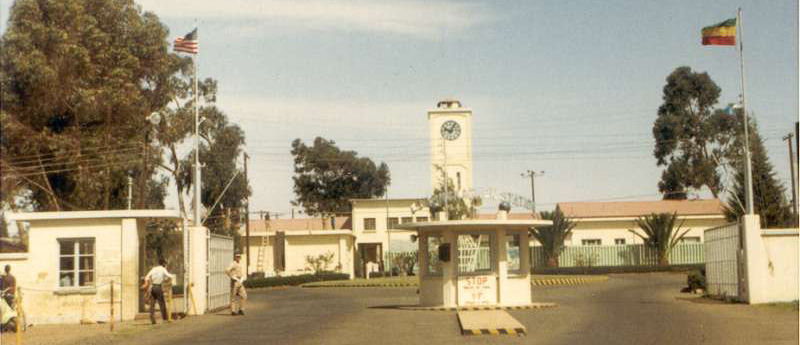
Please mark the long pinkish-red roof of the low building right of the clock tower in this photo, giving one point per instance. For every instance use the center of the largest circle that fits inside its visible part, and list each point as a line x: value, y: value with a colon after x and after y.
x: 640, y: 208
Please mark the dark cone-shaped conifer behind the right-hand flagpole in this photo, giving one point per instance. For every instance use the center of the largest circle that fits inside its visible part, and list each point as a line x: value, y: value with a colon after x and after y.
x: 769, y: 200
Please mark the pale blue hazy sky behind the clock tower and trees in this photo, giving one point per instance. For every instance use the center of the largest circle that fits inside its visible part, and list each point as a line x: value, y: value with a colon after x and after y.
x: 570, y: 88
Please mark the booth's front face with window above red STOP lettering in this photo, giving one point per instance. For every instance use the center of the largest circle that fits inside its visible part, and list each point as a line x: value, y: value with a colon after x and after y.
x: 476, y: 272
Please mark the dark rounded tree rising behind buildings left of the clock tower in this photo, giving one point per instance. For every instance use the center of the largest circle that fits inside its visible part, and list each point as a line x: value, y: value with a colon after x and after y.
x: 327, y: 177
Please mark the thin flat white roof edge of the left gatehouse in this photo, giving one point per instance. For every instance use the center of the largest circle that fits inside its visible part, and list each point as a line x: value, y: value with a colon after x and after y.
x: 61, y: 215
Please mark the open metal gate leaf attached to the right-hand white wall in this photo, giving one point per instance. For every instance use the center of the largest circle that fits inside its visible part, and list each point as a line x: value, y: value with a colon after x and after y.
x: 722, y: 251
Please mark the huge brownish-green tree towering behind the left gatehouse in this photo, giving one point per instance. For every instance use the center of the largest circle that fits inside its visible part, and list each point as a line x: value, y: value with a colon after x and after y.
x: 78, y: 79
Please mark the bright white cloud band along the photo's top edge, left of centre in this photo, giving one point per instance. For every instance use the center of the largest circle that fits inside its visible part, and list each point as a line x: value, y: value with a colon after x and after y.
x: 415, y: 18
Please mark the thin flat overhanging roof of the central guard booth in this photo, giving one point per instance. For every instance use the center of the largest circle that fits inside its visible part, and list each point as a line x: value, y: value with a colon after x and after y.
x: 475, y: 224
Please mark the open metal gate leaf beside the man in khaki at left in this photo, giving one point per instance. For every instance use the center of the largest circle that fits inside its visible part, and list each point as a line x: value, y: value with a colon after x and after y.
x: 220, y: 255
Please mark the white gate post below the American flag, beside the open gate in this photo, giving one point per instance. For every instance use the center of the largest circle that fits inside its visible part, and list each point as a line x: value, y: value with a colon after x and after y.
x: 199, y: 264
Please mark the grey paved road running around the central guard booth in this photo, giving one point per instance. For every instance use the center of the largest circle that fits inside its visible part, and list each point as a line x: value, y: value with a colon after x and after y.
x: 627, y: 309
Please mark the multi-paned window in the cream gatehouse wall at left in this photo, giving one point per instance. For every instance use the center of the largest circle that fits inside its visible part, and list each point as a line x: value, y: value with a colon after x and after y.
x: 76, y: 262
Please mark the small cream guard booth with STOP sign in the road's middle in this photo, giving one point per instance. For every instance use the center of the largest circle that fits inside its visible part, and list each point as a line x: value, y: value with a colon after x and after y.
x: 474, y: 262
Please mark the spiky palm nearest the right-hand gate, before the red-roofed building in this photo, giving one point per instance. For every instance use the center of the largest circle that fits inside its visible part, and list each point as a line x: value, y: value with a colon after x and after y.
x: 660, y: 234
